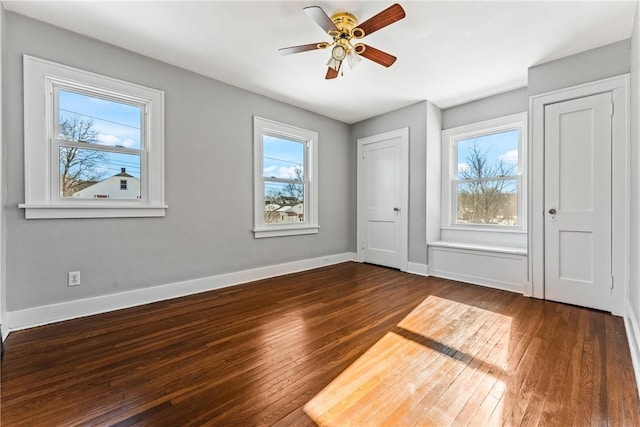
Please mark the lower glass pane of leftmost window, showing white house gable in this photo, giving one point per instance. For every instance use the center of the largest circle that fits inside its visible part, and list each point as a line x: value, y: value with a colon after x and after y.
x: 86, y: 173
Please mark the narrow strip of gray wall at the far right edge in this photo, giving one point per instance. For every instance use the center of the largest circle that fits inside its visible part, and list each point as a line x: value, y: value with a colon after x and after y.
x: 634, y: 238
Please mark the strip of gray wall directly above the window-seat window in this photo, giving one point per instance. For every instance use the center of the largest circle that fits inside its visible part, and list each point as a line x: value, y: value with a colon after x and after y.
x: 503, y: 104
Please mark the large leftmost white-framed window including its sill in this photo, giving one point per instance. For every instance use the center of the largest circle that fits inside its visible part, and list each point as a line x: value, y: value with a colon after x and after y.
x: 96, y: 146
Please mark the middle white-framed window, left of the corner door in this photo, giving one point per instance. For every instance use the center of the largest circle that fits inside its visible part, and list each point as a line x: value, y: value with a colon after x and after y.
x: 285, y: 184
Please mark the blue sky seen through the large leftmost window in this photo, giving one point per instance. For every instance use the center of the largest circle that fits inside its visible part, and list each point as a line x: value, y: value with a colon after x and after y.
x: 117, y: 124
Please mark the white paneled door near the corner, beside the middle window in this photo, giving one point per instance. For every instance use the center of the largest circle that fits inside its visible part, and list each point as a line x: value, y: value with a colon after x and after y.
x: 382, y: 199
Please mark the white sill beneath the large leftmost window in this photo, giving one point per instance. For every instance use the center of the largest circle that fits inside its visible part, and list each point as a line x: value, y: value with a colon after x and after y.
x: 91, y: 211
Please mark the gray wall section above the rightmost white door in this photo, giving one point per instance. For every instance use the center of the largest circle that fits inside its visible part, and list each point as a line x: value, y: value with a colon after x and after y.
x: 595, y: 64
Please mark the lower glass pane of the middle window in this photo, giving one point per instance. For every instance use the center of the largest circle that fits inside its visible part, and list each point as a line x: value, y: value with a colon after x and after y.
x: 283, y: 202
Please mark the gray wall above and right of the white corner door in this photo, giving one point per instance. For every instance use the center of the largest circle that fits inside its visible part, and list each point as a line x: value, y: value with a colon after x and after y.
x: 415, y: 118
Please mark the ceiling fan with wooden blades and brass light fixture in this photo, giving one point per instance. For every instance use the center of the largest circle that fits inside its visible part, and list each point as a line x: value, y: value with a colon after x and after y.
x: 343, y: 27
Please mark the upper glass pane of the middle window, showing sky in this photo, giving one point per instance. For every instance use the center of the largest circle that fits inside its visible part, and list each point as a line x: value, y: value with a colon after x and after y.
x: 282, y: 158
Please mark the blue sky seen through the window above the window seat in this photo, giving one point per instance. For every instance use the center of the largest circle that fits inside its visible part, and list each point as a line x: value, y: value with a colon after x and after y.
x: 499, y: 146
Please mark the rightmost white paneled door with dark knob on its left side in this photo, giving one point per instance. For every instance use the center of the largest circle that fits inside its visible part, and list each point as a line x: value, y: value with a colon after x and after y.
x: 577, y: 201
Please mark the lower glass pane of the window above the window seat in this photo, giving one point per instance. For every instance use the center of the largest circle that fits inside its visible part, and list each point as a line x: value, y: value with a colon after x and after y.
x: 488, y: 202
